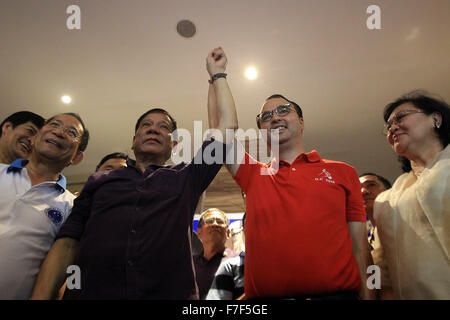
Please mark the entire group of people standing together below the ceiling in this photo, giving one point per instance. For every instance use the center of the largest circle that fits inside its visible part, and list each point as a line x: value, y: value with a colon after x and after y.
x: 312, y: 226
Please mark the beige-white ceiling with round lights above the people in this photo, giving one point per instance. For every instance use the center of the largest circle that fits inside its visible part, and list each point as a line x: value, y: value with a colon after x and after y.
x: 128, y: 57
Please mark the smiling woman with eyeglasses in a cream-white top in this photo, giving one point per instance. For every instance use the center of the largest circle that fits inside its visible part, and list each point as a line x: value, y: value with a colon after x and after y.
x: 413, y: 217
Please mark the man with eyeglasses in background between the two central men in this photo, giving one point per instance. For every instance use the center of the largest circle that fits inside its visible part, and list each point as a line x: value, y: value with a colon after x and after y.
x: 213, y: 232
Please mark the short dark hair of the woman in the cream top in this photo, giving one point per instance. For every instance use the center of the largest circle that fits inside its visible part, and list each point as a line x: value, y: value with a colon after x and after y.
x: 429, y: 104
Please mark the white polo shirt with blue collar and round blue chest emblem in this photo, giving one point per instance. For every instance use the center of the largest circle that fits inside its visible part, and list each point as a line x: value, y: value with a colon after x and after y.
x: 30, y: 218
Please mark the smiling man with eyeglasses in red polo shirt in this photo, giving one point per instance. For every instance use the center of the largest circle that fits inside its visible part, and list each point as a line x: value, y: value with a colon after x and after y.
x: 305, y: 228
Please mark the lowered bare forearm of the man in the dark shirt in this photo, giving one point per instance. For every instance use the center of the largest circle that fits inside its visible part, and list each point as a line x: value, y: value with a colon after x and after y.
x: 53, y: 270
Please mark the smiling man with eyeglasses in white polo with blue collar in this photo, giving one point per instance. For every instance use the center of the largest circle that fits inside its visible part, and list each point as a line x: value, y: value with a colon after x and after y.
x: 35, y: 203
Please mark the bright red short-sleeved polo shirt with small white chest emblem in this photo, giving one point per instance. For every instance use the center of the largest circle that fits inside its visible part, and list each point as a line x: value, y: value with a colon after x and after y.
x: 297, y: 237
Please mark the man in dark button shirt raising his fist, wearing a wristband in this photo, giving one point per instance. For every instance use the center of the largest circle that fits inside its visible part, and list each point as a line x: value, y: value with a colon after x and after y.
x: 130, y: 229
